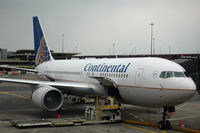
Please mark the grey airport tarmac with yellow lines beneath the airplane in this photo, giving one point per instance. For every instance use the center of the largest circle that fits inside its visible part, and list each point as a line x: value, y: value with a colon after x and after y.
x: 15, y: 104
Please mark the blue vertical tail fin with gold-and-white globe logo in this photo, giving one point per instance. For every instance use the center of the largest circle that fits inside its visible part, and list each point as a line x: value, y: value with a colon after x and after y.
x: 42, y: 52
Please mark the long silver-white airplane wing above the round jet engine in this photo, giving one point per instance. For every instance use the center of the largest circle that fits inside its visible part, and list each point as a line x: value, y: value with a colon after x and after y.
x: 71, y: 87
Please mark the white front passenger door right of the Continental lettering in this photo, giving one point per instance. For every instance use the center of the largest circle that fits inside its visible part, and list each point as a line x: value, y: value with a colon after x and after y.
x: 139, y: 76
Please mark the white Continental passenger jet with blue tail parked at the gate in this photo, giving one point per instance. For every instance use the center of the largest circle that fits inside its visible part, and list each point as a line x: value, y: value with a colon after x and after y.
x: 147, y: 81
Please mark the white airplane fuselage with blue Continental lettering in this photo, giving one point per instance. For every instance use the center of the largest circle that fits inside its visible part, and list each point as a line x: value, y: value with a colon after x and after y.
x: 138, y: 79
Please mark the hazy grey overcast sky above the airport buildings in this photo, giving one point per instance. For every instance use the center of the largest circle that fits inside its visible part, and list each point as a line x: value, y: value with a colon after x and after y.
x: 94, y: 25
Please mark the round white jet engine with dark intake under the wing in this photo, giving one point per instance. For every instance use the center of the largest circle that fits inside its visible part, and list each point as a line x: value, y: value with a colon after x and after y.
x: 48, y: 98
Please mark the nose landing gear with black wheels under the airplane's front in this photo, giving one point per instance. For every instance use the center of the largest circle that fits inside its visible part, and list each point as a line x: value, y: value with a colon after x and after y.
x: 165, y: 124
